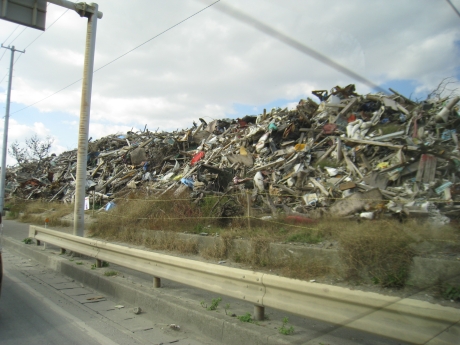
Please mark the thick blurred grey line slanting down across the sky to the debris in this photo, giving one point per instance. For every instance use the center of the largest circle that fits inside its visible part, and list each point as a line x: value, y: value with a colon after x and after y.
x: 303, y: 48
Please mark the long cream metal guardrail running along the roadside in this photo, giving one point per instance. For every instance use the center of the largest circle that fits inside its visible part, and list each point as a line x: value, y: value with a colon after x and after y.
x: 403, y: 319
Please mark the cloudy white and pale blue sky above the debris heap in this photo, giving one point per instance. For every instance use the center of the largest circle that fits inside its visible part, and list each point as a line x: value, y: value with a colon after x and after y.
x: 214, y: 65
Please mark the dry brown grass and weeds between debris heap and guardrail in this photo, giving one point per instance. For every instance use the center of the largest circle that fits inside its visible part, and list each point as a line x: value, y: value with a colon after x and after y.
x: 379, y: 251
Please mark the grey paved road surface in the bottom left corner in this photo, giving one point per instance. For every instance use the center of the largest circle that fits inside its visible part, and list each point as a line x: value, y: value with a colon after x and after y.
x: 38, y: 306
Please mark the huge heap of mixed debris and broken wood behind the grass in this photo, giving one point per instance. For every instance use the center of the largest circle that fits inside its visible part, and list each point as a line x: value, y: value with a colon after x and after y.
x: 344, y: 155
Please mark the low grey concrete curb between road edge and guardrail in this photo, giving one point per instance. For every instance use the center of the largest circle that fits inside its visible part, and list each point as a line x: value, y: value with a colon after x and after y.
x: 219, y: 327
